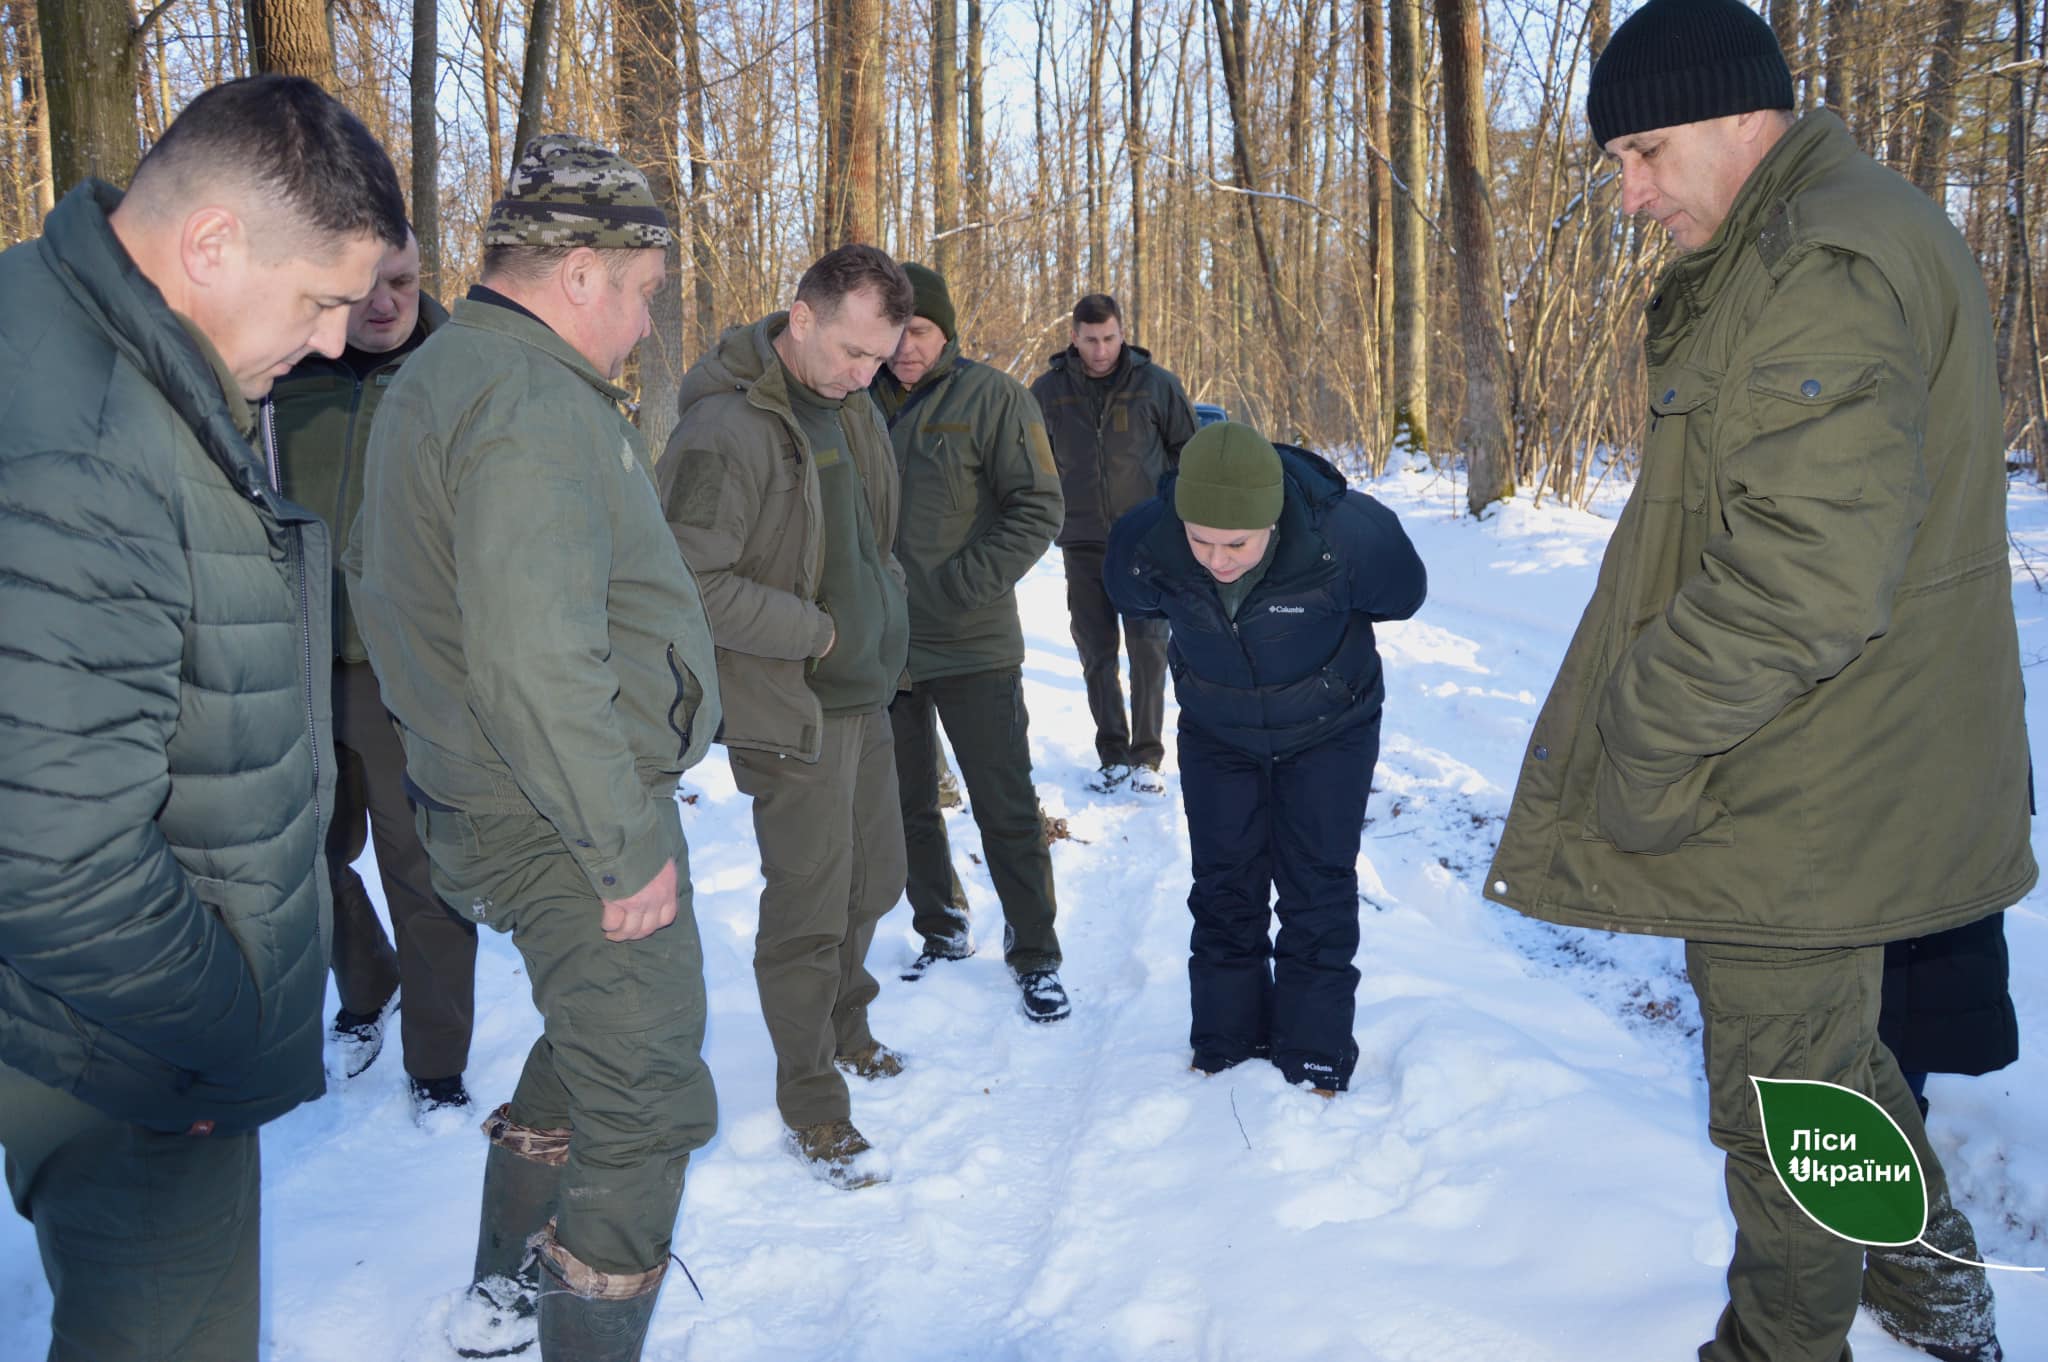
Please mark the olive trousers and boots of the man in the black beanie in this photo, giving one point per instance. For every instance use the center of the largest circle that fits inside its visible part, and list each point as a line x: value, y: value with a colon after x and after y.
x: 1795, y: 1287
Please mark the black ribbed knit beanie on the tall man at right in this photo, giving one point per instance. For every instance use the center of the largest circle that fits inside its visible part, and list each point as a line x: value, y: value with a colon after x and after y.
x: 1684, y: 62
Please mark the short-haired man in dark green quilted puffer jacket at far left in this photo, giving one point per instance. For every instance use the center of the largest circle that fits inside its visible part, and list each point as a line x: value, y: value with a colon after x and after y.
x: 167, y: 767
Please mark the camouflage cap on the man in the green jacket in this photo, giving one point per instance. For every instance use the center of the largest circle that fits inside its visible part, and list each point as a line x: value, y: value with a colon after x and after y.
x: 570, y: 191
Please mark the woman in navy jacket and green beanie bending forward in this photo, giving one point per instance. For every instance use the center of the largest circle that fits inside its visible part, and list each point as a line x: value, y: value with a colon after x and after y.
x: 1273, y: 577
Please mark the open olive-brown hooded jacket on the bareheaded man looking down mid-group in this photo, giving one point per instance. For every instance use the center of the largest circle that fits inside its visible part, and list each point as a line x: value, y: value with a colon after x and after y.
x: 742, y: 499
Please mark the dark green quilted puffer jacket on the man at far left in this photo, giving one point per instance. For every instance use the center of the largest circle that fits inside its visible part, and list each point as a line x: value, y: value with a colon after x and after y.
x: 167, y: 765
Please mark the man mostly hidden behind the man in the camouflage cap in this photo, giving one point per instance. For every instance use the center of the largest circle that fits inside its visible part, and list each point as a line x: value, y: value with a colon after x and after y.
x: 321, y: 415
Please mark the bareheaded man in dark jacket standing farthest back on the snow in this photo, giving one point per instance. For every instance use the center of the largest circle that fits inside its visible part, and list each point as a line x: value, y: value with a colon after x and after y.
x: 1117, y: 423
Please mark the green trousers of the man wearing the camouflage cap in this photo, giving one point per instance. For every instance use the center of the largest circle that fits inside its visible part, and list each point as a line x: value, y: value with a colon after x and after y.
x: 620, y: 1060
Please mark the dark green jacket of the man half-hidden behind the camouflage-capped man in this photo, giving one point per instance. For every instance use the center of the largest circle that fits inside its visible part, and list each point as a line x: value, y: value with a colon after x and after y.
x: 321, y: 417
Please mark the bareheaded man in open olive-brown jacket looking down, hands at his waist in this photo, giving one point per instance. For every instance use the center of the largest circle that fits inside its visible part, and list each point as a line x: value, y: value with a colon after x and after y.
x: 783, y: 497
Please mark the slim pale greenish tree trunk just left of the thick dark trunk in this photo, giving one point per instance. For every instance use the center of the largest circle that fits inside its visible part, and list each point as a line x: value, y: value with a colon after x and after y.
x: 1410, y: 138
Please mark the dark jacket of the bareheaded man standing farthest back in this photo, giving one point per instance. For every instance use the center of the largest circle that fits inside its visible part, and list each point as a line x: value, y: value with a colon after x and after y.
x: 1111, y: 460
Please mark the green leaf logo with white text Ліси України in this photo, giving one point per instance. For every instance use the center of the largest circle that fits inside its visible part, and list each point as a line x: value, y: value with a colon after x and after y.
x: 1844, y: 1160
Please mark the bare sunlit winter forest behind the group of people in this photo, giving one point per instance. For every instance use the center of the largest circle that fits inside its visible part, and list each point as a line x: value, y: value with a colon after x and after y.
x: 1371, y: 226
